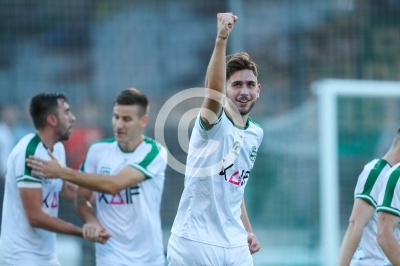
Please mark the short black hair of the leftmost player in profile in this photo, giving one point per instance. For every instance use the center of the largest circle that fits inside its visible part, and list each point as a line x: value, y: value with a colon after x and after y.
x: 42, y: 105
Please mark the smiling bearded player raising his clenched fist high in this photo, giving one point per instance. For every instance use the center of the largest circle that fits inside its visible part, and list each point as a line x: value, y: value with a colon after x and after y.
x: 211, y: 226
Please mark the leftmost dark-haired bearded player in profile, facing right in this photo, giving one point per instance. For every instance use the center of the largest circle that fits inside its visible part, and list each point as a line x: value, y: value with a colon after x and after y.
x: 29, y: 221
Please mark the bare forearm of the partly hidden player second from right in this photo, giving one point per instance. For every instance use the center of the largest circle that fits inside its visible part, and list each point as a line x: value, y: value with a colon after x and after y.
x: 350, y: 243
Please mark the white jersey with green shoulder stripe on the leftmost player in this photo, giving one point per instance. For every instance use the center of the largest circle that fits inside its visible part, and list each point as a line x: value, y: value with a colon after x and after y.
x: 20, y: 243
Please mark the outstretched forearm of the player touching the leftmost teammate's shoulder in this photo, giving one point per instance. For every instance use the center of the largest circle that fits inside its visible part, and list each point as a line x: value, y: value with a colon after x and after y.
x: 95, y: 182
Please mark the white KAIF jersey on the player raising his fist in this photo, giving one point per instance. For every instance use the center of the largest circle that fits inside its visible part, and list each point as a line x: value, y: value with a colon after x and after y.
x: 218, y: 167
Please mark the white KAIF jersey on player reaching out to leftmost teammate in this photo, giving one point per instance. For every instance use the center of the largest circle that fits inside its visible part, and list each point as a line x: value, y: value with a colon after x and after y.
x: 132, y: 216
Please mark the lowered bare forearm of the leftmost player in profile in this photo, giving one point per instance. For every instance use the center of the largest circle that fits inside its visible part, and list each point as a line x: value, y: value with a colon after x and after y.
x: 53, y: 224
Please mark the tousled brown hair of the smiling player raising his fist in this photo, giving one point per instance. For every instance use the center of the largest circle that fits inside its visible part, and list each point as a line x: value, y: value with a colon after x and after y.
x: 239, y: 61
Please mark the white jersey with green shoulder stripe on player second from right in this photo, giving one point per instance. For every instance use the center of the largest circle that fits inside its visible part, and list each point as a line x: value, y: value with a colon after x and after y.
x: 367, y: 188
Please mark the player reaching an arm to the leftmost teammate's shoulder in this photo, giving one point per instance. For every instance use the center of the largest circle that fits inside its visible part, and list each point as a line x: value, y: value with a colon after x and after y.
x: 128, y: 172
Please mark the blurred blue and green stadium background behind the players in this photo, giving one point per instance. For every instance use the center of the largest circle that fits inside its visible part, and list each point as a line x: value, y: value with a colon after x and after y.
x: 92, y: 49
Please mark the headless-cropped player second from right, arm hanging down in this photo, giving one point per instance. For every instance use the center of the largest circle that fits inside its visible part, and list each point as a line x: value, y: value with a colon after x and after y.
x: 359, y: 245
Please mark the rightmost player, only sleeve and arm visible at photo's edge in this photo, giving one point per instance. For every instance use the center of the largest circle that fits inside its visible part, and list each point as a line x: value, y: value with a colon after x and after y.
x: 388, y: 213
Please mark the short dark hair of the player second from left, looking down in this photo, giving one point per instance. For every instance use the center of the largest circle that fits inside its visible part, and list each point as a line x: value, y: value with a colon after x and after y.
x: 133, y: 97
